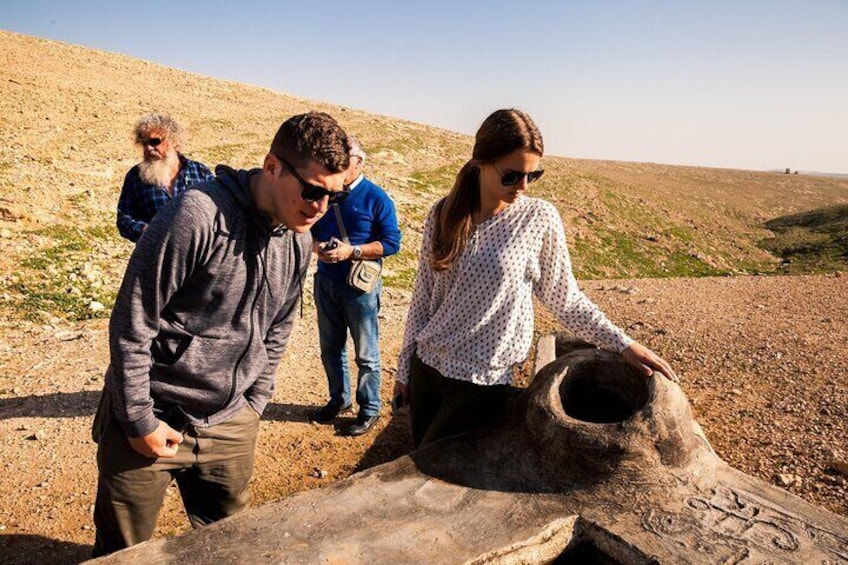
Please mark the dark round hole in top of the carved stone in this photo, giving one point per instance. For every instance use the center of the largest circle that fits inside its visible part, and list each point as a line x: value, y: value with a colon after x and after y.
x: 603, y: 392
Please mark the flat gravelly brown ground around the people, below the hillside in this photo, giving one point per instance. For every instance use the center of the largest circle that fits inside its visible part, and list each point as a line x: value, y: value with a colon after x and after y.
x: 762, y: 359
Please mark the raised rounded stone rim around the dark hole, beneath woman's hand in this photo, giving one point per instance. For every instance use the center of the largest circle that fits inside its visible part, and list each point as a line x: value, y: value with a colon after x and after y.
x: 598, y: 415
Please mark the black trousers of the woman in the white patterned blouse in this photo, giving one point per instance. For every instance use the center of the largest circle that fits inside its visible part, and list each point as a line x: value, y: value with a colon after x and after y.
x: 440, y: 406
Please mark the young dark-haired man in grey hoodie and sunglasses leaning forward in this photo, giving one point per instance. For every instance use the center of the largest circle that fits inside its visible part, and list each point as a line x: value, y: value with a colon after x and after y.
x: 201, y: 320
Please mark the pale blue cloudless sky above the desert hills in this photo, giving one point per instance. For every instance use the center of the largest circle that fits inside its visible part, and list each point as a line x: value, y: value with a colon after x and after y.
x: 745, y: 84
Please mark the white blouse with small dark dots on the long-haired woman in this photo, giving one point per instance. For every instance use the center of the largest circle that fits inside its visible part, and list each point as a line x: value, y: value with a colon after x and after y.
x: 474, y: 321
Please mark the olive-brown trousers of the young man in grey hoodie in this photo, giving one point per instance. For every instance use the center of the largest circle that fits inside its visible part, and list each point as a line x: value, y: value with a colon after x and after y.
x: 212, y: 468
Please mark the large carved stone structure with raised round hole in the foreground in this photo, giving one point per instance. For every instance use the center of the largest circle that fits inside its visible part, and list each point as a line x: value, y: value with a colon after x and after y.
x: 595, y: 464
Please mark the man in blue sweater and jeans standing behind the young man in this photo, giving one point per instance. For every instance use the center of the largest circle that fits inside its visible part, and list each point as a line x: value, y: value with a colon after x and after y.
x: 371, y: 224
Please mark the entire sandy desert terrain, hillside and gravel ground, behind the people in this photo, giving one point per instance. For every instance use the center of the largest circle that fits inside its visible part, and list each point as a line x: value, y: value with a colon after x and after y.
x: 762, y: 358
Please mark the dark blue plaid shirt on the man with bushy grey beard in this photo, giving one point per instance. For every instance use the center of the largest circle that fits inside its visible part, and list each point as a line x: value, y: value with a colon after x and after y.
x: 140, y: 201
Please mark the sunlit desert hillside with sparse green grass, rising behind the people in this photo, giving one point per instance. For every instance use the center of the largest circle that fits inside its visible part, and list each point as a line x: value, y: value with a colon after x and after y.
x: 65, y: 145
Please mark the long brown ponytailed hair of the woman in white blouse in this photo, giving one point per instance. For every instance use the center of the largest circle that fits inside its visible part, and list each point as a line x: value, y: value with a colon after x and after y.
x: 503, y: 132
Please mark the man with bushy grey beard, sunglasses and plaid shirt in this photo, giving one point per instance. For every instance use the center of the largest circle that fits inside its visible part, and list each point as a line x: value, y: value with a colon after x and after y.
x: 163, y: 174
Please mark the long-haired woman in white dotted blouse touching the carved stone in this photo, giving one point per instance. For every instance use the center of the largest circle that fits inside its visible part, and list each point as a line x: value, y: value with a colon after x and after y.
x: 487, y: 250
